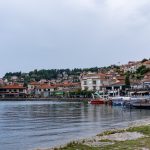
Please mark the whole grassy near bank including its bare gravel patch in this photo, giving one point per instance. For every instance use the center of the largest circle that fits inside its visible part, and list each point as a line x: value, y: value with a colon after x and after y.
x: 133, y: 138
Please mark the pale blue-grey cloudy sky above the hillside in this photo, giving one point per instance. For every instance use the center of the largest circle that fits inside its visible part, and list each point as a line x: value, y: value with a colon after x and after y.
x: 37, y: 34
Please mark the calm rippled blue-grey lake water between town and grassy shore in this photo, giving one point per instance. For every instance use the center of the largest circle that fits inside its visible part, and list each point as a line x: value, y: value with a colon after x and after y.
x: 28, y: 125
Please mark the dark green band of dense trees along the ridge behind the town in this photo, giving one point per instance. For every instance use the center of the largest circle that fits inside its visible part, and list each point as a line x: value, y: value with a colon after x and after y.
x: 37, y: 75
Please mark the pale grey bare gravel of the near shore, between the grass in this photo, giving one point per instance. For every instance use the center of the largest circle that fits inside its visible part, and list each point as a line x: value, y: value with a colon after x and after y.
x: 97, y: 140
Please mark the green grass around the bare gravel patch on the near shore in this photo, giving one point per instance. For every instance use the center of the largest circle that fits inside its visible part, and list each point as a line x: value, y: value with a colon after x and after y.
x: 124, y: 145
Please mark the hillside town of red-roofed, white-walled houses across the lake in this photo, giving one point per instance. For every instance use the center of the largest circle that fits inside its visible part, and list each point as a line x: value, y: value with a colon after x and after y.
x: 130, y: 78
